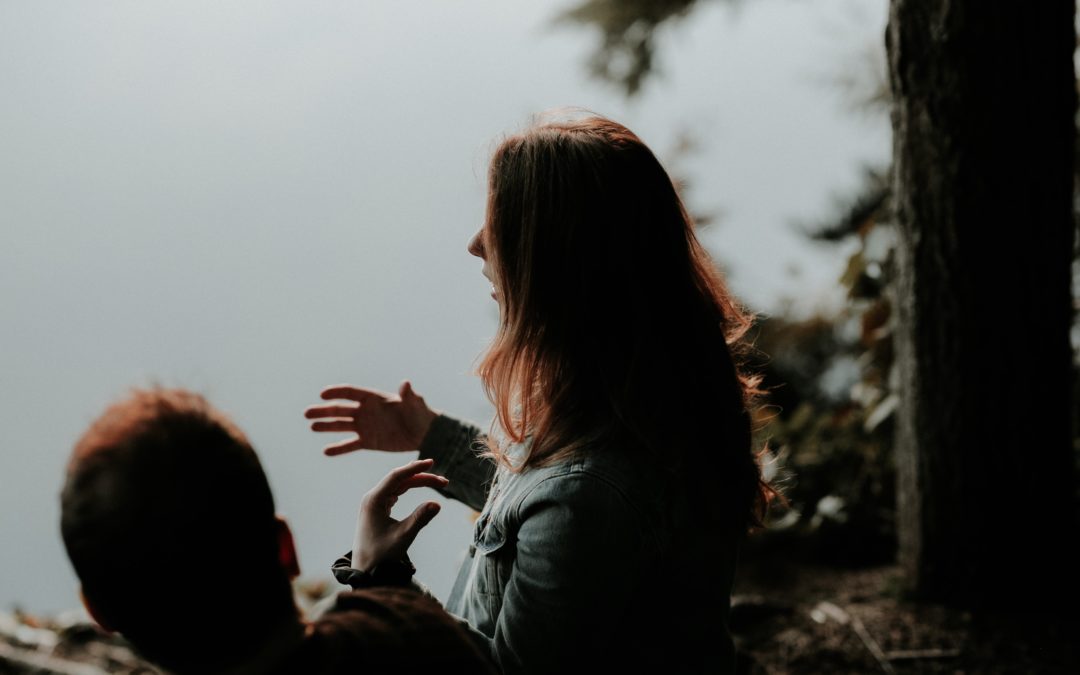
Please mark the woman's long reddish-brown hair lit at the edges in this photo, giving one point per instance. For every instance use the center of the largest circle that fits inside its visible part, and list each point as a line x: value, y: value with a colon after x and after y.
x: 616, y: 331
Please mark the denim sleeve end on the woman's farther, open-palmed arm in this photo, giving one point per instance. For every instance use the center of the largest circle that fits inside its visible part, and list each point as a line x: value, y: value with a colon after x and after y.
x: 456, y: 448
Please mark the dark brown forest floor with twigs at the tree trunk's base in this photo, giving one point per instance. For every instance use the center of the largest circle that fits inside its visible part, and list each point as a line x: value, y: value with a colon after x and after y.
x: 795, y: 617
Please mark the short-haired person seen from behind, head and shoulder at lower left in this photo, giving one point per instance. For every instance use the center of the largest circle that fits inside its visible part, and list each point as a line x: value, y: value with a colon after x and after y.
x: 170, y: 524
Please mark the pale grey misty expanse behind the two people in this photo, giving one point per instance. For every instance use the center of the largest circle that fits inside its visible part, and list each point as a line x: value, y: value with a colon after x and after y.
x: 259, y: 199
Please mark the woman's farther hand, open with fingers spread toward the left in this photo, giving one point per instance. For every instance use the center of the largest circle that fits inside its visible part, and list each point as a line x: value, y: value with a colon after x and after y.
x: 382, y: 422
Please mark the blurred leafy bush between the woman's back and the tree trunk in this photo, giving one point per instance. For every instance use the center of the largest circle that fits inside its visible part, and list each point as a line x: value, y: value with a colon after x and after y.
x: 828, y: 420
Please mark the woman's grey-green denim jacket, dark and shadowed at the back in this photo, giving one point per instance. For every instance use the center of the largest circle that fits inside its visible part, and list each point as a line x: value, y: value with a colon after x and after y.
x: 596, y: 564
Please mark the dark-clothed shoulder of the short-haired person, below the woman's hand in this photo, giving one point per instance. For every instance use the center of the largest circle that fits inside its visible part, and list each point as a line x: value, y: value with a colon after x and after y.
x: 389, y: 630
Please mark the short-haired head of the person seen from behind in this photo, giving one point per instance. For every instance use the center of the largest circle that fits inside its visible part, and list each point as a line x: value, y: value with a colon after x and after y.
x: 169, y: 521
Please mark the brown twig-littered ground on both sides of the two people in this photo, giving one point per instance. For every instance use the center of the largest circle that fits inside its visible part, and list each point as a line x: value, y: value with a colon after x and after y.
x: 789, y: 616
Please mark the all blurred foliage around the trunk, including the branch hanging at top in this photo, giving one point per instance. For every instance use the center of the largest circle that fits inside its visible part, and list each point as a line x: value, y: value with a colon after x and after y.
x: 831, y: 382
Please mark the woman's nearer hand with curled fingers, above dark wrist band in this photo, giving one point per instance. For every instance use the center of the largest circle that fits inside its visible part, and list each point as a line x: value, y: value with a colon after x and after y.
x: 380, y: 537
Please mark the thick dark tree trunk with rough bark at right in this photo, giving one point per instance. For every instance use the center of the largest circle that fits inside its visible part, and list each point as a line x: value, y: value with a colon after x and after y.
x: 984, y: 105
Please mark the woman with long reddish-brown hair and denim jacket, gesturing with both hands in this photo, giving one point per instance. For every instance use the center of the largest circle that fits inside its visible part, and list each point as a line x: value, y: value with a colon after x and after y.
x: 619, y: 478
